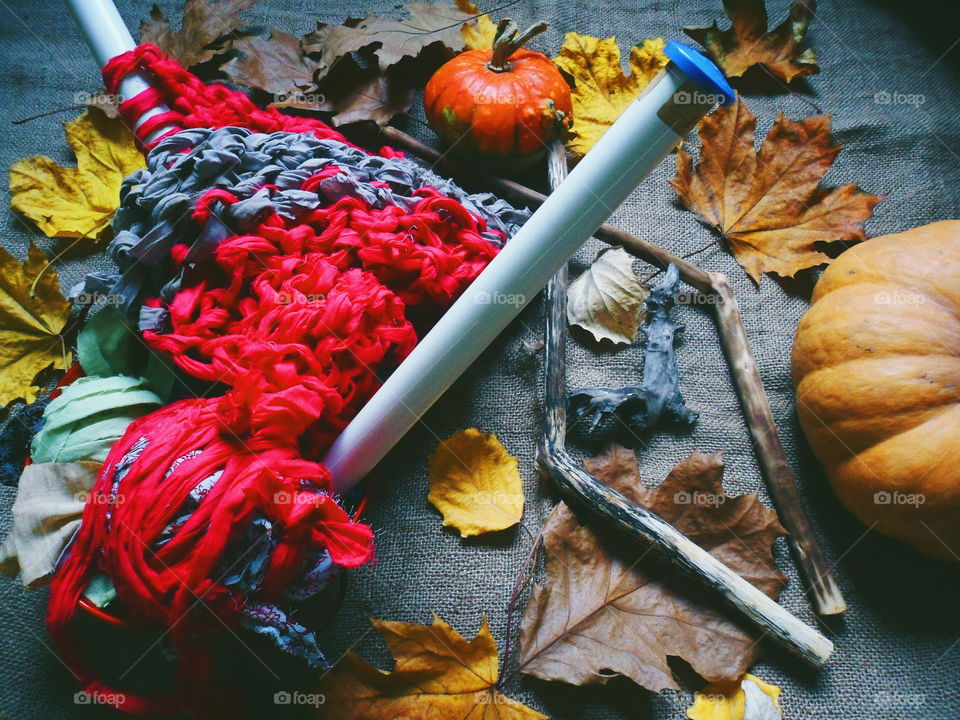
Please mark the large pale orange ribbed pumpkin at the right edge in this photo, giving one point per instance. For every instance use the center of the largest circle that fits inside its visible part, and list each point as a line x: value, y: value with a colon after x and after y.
x: 876, y: 366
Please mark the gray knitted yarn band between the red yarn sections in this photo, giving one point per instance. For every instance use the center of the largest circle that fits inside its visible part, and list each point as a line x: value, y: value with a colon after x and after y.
x: 156, y: 203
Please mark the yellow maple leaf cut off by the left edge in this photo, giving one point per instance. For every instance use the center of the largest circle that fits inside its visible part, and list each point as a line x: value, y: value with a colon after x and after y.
x: 33, y: 312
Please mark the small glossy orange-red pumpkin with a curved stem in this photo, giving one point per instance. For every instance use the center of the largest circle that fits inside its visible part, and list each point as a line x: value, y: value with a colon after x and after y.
x: 500, y: 103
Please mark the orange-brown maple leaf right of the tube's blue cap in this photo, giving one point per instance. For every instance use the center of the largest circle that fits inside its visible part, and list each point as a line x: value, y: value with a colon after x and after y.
x: 770, y: 205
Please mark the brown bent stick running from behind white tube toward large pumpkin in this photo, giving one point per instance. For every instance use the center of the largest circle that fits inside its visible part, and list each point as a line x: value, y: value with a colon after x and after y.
x: 781, y: 483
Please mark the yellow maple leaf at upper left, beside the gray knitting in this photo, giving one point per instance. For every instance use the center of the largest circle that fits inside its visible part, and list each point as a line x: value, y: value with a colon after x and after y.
x: 77, y: 202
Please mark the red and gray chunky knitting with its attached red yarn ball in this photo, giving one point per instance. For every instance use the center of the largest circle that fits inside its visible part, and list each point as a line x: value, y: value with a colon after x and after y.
x: 268, y: 257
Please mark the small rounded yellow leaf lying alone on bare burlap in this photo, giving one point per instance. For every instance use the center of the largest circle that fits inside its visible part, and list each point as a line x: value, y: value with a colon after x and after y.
x: 475, y: 483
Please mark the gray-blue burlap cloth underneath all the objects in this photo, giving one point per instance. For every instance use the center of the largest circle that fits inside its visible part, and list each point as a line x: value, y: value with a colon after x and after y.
x: 898, y: 649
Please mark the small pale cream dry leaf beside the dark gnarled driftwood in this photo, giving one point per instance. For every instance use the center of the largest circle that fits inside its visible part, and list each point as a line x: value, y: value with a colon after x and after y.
x: 606, y: 300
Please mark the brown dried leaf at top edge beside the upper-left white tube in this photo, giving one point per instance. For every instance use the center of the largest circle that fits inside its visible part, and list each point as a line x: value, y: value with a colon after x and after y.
x: 204, y: 23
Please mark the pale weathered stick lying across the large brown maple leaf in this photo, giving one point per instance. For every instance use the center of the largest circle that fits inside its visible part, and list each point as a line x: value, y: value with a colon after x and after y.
x: 772, y: 619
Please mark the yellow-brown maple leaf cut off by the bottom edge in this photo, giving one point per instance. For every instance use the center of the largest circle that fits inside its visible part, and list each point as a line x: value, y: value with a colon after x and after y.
x: 438, y: 676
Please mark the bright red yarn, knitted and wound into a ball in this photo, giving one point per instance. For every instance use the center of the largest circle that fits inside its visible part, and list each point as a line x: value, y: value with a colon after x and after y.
x: 301, y: 321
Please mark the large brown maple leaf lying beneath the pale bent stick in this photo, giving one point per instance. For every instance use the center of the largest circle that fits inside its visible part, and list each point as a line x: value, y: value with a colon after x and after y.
x: 608, y: 608
